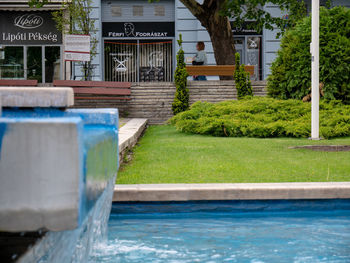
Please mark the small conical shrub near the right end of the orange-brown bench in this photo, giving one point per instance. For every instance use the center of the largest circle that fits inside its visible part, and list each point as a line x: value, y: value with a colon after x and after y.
x: 242, y: 80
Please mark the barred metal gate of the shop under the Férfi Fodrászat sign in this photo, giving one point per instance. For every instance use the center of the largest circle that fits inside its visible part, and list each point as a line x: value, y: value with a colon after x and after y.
x: 138, y: 60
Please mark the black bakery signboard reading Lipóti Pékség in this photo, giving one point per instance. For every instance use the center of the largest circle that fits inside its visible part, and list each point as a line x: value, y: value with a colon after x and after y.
x: 28, y: 28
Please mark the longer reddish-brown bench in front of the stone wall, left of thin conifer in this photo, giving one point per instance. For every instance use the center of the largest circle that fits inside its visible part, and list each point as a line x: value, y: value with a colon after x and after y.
x: 97, y: 90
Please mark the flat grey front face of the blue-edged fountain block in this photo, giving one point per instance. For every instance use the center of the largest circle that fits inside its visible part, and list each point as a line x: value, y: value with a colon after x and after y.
x: 41, y: 173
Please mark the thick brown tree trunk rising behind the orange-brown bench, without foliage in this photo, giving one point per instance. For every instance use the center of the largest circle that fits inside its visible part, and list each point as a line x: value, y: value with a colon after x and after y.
x: 219, y: 30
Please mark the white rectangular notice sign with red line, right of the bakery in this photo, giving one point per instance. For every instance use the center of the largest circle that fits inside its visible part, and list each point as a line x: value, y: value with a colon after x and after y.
x: 77, y: 47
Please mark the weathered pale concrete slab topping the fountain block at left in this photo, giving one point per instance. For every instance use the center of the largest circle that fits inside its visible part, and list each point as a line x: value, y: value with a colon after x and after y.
x: 36, y: 97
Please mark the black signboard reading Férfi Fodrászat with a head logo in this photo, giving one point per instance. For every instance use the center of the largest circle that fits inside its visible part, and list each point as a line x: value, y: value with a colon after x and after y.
x: 138, y: 29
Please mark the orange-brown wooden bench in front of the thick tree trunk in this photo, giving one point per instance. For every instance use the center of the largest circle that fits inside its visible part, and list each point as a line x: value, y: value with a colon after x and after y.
x: 218, y: 70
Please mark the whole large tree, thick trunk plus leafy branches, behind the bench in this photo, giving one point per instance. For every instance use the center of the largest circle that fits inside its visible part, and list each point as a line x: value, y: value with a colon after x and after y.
x: 217, y: 15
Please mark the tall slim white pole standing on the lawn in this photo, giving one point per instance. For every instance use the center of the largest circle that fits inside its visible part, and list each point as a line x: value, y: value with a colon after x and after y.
x: 315, y: 54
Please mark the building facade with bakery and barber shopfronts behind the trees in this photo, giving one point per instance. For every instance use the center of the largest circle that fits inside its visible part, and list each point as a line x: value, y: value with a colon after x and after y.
x: 136, y: 41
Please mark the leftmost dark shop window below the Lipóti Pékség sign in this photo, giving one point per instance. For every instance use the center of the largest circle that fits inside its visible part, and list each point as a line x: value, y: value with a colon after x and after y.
x: 11, y: 63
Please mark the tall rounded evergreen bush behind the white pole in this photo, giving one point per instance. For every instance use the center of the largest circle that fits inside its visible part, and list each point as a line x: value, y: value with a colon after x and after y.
x: 291, y: 71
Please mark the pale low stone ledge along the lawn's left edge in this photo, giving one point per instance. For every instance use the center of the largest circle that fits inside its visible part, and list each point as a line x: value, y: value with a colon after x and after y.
x: 129, y: 134
